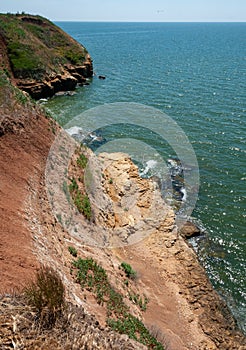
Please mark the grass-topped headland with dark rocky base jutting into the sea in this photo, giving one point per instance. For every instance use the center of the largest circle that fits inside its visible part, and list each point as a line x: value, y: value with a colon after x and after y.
x: 40, y: 58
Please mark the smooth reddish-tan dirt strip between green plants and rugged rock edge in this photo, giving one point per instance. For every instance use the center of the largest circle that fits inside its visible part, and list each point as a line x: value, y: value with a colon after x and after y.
x: 168, y: 312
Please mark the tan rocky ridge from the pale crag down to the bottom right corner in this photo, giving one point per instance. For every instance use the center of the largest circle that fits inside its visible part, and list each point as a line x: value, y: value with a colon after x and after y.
x: 168, y: 268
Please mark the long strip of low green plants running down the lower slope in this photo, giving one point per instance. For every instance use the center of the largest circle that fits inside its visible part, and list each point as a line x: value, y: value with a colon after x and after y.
x: 92, y: 277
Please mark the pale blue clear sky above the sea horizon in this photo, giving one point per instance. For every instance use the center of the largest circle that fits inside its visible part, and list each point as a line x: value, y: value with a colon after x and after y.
x: 132, y: 10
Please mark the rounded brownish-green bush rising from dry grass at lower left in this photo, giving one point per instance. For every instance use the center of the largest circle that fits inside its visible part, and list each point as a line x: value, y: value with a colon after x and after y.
x: 46, y: 295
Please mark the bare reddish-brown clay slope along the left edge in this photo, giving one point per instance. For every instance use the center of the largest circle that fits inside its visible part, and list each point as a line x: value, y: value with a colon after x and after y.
x: 23, y: 153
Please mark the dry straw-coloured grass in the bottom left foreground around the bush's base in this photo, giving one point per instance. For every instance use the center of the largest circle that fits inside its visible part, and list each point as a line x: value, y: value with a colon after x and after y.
x: 74, y: 329
